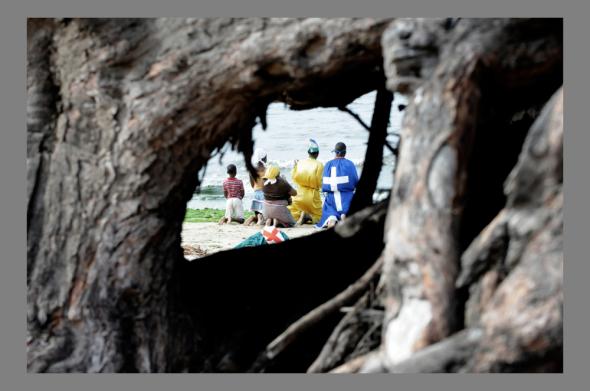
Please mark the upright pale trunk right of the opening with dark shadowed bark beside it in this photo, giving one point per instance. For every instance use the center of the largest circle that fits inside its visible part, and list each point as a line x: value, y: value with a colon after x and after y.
x: 472, y: 105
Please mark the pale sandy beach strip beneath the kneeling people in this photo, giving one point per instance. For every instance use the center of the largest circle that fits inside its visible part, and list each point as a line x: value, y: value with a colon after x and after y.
x: 211, y: 237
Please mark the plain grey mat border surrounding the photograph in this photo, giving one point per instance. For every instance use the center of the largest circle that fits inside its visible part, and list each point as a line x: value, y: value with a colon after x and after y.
x: 13, y: 206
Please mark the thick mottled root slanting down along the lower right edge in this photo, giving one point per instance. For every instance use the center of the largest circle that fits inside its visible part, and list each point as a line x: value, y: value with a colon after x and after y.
x: 514, y: 270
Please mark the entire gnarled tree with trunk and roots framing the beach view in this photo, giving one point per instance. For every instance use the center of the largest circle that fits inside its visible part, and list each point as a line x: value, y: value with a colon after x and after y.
x: 122, y: 114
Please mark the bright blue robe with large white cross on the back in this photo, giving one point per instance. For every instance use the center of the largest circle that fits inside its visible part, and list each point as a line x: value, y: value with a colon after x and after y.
x: 338, y: 183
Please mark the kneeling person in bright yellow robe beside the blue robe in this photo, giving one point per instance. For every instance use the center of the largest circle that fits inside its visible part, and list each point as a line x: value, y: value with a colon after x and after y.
x: 307, y: 175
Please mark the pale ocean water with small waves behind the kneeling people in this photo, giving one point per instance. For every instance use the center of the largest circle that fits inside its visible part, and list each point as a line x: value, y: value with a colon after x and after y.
x: 287, y: 137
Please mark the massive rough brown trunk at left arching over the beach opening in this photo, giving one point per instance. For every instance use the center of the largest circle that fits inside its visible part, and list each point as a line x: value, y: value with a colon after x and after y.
x: 122, y: 114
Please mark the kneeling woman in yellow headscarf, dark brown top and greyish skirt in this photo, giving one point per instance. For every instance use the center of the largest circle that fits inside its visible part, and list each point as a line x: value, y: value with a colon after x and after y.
x: 277, y: 195
